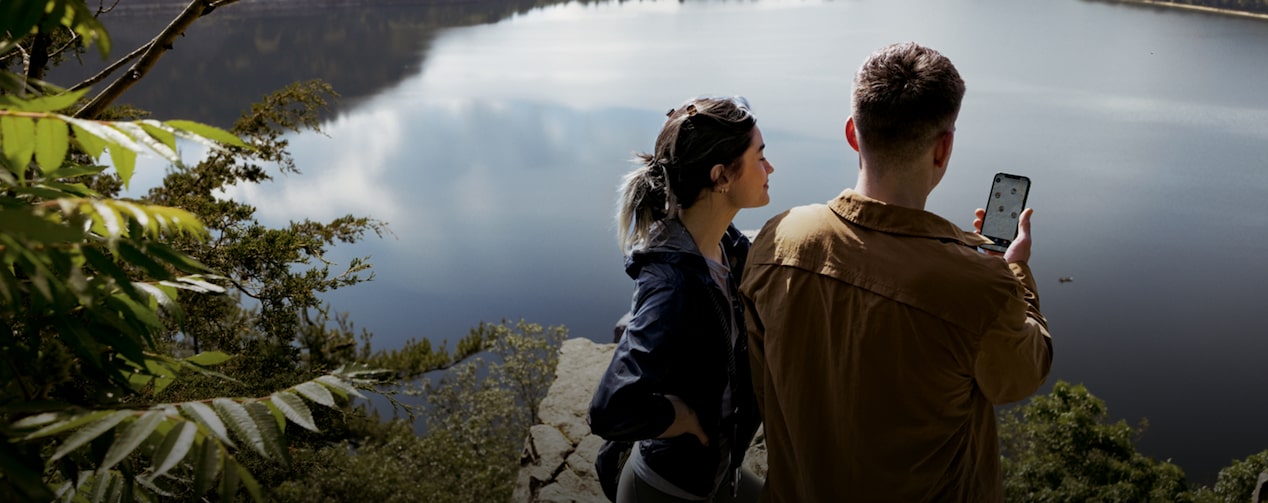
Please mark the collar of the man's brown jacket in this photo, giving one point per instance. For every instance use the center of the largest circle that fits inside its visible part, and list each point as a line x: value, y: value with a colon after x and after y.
x: 879, y: 216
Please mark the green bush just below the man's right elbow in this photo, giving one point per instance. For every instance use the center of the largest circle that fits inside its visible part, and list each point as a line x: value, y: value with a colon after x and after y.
x: 1061, y: 448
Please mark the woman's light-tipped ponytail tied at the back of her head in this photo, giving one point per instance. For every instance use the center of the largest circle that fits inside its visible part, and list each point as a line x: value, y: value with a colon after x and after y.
x: 645, y: 200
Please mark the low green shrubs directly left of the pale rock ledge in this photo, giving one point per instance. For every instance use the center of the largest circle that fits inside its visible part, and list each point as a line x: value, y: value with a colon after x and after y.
x: 477, y: 420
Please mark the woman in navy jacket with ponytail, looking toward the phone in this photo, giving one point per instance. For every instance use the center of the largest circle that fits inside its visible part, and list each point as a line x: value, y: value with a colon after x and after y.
x: 679, y: 382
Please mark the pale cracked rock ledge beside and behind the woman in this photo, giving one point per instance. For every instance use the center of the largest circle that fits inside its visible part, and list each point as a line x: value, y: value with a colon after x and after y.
x: 559, y: 462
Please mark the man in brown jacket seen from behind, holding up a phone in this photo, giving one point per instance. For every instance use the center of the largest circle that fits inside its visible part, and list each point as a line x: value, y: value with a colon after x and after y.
x: 881, y: 335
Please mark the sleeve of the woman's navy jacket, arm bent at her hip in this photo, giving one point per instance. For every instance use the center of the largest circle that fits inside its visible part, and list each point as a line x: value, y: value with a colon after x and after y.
x: 630, y: 404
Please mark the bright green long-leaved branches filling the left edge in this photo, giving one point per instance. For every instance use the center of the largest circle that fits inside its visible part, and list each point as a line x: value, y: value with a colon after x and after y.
x: 89, y: 297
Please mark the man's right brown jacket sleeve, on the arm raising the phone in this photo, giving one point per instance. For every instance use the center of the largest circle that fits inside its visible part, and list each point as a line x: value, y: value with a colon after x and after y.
x: 1016, y: 353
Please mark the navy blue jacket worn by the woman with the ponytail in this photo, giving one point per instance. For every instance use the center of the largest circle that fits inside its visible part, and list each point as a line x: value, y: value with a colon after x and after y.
x: 676, y: 345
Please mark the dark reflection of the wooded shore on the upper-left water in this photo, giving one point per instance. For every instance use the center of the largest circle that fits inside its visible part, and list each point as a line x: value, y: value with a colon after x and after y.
x: 248, y: 50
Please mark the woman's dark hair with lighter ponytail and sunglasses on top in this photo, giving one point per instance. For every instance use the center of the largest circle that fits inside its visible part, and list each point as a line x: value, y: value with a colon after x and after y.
x: 698, y: 136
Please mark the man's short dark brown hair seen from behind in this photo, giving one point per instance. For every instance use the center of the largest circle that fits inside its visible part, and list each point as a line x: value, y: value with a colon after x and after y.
x: 906, y: 96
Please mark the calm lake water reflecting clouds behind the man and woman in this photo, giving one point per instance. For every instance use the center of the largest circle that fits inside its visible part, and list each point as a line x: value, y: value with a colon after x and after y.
x: 493, y: 136
